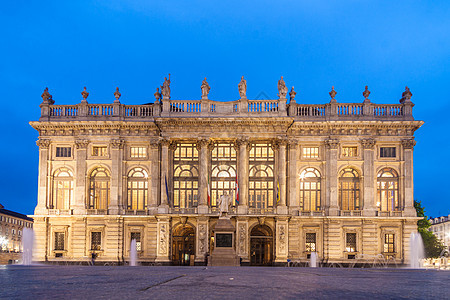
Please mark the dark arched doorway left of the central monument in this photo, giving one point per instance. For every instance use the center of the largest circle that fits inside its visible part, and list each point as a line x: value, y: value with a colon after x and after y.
x: 183, y: 245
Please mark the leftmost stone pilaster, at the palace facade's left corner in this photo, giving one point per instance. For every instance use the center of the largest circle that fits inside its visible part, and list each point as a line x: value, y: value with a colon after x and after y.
x: 41, y: 207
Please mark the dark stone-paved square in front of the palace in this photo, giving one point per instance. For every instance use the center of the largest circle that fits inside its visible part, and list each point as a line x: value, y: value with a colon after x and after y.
x: 124, y: 282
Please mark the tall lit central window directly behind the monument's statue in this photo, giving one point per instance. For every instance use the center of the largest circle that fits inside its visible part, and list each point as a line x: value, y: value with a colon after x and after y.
x: 223, y: 172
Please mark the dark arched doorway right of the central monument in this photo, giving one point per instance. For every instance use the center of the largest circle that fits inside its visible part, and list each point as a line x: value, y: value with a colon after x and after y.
x: 261, y: 246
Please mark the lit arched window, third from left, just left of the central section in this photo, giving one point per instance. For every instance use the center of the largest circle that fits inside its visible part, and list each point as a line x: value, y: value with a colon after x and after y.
x: 137, y: 189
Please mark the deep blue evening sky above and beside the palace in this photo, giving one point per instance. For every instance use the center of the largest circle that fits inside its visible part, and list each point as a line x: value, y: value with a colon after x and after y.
x: 67, y: 45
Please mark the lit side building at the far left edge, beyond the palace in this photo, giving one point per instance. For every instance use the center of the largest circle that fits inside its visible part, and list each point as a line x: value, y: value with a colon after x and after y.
x: 11, y: 232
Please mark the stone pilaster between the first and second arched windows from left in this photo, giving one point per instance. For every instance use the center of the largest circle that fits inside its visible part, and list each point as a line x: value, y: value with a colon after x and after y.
x: 79, y: 205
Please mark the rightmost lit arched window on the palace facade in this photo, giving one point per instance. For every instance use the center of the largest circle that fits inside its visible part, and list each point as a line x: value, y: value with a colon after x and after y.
x: 387, y: 190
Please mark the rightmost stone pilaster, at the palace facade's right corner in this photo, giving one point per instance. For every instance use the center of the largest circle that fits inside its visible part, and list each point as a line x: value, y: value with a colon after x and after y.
x: 408, y: 183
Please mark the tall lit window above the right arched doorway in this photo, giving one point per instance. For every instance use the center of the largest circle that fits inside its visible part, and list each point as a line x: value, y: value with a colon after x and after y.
x: 261, y: 178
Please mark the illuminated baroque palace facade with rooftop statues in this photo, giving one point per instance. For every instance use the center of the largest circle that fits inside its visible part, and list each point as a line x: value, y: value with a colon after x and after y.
x: 335, y: 179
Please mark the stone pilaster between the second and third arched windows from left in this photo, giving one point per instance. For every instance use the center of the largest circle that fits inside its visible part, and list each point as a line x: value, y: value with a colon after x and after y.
x: 116, y: 201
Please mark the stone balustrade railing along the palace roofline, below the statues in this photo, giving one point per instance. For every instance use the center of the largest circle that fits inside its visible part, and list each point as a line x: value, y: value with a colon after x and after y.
x: 239, y: 108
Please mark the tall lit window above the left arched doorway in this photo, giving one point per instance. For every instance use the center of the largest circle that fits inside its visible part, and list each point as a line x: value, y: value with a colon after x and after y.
x: 185, y: 175
